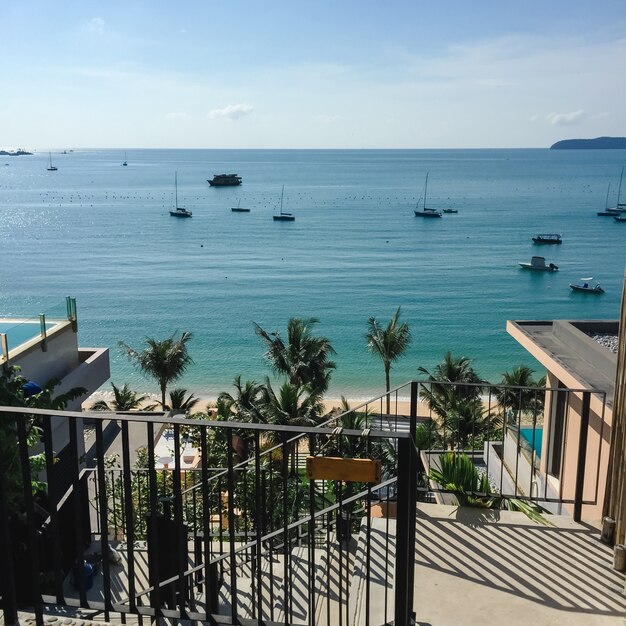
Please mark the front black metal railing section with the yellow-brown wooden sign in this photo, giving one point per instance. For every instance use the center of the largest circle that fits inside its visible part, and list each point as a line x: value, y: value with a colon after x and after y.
x: 250, y: 540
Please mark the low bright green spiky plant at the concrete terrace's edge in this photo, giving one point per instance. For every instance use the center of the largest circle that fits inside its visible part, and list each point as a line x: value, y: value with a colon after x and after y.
x: 458, y: 474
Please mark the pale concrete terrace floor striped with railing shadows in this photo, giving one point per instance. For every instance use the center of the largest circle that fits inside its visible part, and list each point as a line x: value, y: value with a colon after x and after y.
x: 478, y: 567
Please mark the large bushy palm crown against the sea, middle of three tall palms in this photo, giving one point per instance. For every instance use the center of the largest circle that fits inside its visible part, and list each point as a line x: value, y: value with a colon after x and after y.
x: 304, y: 359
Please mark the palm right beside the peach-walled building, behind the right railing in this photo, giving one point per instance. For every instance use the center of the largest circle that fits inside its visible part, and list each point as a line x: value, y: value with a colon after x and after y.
x: 521, y: 393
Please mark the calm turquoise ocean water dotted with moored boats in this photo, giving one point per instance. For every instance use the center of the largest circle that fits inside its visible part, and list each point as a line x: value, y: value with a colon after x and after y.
x: 102, y: 233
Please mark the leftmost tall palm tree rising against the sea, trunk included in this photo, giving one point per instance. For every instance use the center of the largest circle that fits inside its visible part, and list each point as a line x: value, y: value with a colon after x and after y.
x: 165, y: 360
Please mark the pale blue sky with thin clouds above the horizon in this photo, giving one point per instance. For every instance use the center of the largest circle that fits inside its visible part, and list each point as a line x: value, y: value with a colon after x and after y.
x: 310, y: 74
